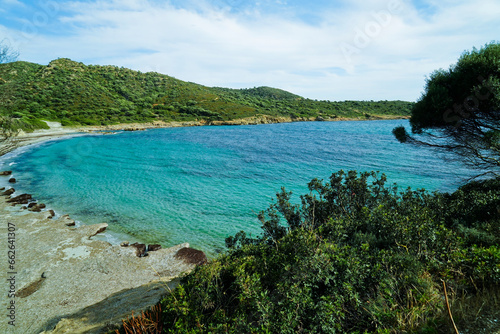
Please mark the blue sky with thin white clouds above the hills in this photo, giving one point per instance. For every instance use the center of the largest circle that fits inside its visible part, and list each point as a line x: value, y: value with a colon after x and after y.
x: 326, y: 50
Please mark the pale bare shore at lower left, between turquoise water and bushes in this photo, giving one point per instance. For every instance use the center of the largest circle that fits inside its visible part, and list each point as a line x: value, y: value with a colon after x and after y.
x: 66, y: 282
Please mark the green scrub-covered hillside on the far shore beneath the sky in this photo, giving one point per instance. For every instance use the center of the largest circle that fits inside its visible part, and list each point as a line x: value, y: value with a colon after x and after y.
x: 78, y: 94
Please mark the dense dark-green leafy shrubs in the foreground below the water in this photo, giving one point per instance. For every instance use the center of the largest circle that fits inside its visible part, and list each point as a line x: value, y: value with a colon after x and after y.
x: 354, y: 256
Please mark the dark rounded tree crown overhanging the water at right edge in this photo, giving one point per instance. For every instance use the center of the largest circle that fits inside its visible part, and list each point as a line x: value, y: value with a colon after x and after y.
x: 459, y: 110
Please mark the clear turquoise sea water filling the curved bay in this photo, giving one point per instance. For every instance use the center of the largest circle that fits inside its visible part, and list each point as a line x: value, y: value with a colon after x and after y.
x: 202, y: 184
